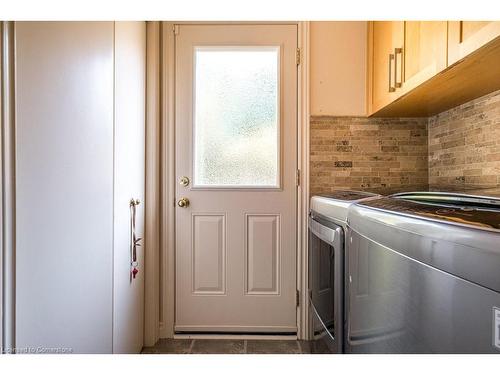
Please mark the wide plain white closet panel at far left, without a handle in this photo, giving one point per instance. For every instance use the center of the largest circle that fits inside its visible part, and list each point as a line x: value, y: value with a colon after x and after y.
x: 64, y: 103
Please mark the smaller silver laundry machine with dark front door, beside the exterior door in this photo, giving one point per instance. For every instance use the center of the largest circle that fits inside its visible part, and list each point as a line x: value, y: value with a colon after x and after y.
x: 327, y: 224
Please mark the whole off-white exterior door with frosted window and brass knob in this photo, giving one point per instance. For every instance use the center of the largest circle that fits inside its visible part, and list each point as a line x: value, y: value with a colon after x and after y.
x: 236, y: 142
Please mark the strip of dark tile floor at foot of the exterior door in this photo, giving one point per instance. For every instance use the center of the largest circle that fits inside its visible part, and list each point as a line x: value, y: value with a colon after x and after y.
x: 212, y: 346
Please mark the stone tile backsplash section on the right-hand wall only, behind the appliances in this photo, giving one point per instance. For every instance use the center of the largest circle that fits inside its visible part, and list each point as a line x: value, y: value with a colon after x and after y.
x: 464, y: 145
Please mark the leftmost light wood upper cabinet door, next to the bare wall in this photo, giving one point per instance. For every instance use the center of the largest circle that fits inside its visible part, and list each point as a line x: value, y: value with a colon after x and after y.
x: 387, y: 36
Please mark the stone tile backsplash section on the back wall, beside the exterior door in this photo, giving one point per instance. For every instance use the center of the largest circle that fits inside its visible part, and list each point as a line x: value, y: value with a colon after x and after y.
x: 368, y: 154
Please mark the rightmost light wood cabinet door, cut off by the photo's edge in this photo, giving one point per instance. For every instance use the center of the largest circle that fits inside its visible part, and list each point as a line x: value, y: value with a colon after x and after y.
x: 465, y: 37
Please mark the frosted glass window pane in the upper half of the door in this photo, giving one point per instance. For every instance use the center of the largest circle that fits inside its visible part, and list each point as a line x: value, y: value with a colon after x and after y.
x: 236, y: 117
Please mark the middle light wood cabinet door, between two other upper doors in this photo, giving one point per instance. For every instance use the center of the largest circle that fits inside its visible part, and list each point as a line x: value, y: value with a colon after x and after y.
x: 424, y: 52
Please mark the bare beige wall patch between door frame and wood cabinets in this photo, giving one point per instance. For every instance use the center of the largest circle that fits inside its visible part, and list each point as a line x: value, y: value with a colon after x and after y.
x: 338, y: 68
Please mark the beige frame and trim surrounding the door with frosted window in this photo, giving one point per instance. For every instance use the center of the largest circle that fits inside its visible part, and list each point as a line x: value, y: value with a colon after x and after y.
x: 160, y: 179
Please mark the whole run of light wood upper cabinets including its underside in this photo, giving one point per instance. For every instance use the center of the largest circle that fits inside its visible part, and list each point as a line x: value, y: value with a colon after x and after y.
x: 419, y: 68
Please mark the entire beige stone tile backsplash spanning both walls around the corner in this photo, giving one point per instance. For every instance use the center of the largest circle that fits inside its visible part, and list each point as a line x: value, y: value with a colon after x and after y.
x: 458, y: 149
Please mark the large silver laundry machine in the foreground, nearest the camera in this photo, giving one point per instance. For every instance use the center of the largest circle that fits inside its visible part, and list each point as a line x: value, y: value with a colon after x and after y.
x: 424, y: 274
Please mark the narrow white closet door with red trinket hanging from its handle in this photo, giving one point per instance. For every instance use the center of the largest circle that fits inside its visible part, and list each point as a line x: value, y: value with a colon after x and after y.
x: 130, y: 72
